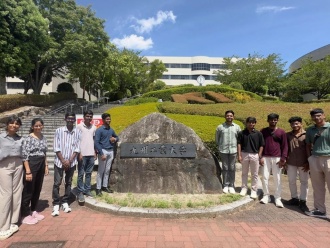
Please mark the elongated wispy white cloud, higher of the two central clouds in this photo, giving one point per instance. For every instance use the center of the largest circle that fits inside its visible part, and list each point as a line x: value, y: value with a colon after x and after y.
x: 146, y: 25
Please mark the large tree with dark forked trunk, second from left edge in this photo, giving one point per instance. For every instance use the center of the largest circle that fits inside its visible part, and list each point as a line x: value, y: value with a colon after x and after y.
x: 67, y: 23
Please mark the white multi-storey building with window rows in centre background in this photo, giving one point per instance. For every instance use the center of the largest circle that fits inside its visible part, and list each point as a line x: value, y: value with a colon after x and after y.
x: 186, y: 70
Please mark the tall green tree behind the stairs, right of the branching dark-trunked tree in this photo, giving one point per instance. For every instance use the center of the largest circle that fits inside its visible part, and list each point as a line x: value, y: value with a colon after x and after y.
x: 87, y: 67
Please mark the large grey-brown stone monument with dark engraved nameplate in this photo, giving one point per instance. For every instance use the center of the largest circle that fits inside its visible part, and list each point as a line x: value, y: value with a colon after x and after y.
x: 159, y: 155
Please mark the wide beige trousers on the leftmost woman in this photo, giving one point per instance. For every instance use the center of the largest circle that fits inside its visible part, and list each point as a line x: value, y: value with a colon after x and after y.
x: 11, y: 186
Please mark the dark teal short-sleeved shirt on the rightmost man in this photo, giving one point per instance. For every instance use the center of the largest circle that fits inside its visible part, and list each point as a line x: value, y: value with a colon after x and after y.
x: 321, y: 146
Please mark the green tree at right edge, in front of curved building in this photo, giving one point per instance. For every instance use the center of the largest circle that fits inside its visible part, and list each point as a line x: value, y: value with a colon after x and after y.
x: 313, y: 77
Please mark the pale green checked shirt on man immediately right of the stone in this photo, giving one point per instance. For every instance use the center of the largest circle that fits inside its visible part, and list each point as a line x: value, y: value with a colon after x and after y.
x: 226, y: 138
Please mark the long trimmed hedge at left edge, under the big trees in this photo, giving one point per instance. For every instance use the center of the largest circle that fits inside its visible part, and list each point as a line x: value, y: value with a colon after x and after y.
x: 9, y: 102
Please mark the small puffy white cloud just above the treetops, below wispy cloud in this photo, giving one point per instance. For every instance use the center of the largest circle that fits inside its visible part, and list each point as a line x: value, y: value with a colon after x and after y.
x: 133, y: 42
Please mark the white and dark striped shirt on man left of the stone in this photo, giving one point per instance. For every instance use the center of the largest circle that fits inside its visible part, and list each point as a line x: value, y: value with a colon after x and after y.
x: 67, y: 143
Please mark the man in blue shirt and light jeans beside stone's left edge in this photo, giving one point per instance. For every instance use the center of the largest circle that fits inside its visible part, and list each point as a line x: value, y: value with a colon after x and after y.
x: 105, y: 140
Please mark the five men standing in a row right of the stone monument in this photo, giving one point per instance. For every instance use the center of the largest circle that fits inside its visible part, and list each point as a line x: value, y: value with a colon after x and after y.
x: 301, y: 153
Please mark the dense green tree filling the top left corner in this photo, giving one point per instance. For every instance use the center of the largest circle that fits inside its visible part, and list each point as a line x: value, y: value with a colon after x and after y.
x: 23, y: 32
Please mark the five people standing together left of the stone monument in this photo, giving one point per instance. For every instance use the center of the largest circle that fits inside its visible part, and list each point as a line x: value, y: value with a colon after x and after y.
x: 23, y: 165
